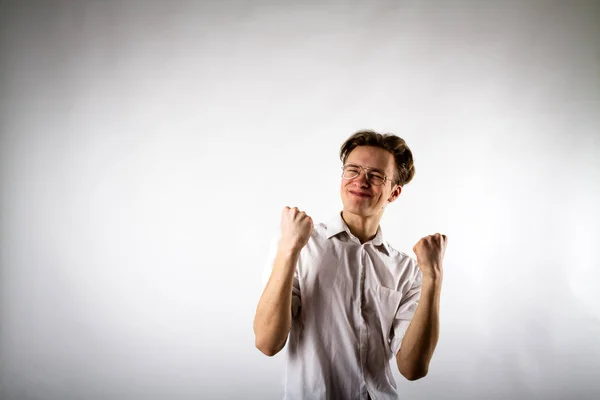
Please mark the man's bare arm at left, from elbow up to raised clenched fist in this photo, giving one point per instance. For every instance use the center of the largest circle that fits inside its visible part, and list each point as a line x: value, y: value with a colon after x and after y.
x: 273, y: 318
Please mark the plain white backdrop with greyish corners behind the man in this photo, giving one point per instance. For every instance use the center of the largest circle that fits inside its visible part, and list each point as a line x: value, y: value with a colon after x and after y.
x: 148, y: 147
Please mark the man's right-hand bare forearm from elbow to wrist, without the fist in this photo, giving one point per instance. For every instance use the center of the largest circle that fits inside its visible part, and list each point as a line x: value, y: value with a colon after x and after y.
x: 422, y: 334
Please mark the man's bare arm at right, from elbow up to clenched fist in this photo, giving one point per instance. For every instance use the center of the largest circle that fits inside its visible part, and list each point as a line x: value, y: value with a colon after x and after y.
x: 423, y: 332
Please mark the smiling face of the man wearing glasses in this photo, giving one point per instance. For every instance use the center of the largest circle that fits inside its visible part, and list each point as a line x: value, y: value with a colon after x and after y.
x: 359, y: 196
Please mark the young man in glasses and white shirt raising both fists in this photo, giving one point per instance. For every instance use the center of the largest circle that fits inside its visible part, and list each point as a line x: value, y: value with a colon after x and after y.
x: 347, y: 300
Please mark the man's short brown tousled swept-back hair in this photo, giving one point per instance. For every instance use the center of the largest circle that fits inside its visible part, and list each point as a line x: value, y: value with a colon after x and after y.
x: 405, y: 168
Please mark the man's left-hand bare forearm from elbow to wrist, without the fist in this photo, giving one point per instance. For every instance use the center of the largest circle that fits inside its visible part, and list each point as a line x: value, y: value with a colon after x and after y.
x: 273, y: 317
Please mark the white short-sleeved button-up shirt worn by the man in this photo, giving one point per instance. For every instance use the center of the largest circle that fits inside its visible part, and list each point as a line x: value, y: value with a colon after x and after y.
x: 351, y: 306
